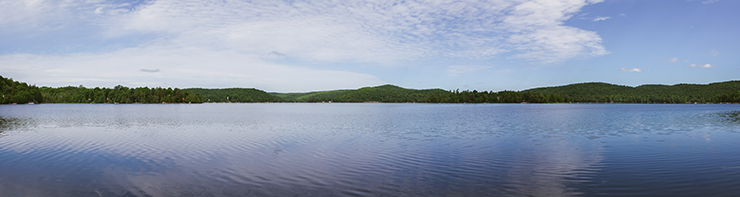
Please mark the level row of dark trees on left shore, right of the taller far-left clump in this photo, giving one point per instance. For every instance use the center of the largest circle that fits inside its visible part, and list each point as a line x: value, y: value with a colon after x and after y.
x: 118, y: 94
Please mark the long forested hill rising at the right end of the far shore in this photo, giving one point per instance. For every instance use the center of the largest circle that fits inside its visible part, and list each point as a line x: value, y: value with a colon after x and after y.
x: 679, y: 93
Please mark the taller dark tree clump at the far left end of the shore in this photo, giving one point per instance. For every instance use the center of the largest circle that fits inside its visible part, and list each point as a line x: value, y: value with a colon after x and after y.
x: 18, y: 92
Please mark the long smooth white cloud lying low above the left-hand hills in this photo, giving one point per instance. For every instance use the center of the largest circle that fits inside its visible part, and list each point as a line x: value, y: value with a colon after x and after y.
x: 202, y: 68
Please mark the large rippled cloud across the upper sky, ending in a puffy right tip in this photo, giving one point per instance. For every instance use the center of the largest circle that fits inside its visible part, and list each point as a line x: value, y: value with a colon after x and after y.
x: 372, y: 31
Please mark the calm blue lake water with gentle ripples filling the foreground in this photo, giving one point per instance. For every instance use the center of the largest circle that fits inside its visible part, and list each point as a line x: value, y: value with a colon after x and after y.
x: 369, y: 150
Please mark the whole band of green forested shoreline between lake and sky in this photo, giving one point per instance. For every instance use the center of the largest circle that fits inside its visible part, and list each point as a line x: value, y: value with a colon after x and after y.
x: 722, y: 92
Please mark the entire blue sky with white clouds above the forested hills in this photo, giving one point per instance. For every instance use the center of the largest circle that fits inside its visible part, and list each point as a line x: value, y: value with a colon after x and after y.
x: 297, y: 45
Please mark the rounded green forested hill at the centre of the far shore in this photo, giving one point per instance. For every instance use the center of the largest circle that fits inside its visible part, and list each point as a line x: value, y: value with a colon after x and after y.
x: 384, y: 93
